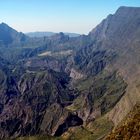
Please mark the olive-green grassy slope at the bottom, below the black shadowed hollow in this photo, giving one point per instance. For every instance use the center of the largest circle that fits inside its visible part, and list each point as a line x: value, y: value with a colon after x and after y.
x: 93, y: 131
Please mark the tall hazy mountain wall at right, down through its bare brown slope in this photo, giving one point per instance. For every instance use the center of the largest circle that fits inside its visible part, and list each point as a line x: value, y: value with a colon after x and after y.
x: 119, y: 35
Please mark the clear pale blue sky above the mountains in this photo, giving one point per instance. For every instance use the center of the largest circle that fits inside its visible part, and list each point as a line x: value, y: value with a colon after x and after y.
x: 79, y: 16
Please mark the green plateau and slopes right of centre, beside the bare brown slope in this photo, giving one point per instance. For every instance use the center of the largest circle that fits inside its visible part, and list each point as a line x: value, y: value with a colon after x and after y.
x: 104, y: 90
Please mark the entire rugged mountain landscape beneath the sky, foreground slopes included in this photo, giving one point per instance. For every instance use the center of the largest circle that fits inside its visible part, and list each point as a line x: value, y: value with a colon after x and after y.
x: 62, y: 87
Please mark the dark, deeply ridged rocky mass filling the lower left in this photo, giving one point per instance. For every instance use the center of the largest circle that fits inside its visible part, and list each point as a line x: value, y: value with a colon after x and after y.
x: 25, y: 102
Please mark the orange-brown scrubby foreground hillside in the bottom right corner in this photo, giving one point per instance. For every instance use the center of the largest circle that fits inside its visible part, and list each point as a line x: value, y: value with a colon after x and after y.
x: 129, y: 128
